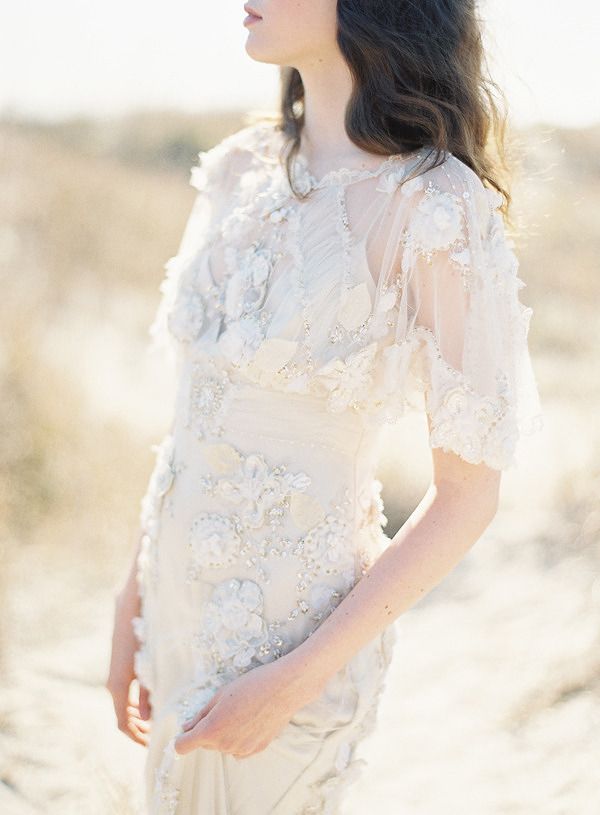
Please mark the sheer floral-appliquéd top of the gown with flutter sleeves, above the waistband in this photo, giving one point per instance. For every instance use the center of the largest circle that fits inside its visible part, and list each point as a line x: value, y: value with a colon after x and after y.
x: 374, y: 295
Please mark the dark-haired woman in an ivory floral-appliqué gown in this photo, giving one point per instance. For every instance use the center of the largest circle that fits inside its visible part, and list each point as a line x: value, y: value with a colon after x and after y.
x: 343, y: 263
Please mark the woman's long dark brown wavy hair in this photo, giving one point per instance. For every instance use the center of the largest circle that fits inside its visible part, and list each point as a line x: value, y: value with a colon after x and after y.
x: 420, y: 79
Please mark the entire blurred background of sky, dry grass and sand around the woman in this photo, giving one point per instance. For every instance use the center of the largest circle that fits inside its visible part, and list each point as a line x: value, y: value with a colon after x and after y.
x: 493, y: 702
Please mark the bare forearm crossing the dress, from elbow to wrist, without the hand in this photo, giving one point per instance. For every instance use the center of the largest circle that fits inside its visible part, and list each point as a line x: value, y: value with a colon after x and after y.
x: 433, y: 540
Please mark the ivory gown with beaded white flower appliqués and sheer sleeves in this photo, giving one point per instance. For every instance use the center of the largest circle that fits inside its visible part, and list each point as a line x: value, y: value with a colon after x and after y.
x: 298, y: 329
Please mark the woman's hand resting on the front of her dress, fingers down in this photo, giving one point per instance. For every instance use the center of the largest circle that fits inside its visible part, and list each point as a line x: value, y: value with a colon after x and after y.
x: 244, y: 716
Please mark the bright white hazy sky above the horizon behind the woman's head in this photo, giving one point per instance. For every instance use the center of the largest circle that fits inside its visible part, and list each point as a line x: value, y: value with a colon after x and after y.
x: 75, y: 56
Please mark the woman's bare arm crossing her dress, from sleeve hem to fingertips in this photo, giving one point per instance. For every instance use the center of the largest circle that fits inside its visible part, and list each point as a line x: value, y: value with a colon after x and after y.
x: 246, y: 714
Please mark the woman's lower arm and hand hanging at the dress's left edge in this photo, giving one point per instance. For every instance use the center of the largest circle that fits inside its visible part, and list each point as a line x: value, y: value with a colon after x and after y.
x: 133, y: 710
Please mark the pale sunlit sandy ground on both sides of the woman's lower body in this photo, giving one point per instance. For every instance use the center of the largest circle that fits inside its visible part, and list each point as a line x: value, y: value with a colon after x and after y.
x: 492, y: 705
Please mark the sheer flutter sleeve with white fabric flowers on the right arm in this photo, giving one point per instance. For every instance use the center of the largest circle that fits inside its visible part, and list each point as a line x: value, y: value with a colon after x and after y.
x: 460, y: 328
